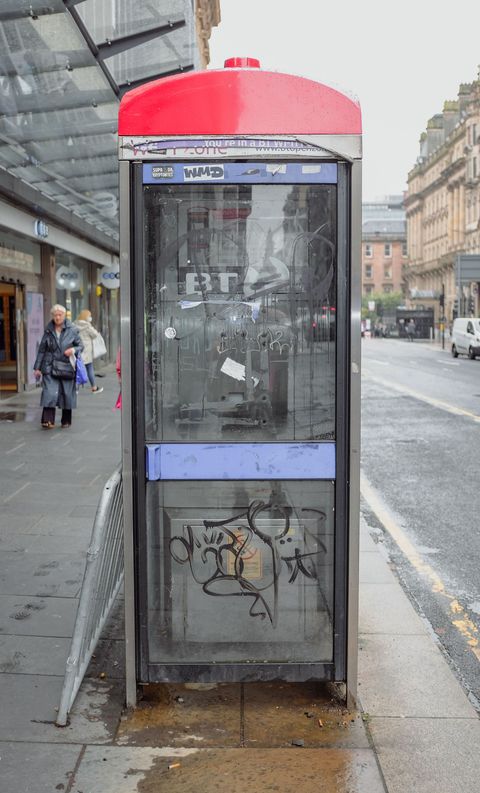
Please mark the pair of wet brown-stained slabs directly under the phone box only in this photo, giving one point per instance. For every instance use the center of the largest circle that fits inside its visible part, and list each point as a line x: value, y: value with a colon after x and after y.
x: 249, y: 715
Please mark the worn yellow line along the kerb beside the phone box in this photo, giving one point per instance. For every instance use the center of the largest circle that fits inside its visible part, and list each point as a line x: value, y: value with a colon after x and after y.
x: 457, y: 614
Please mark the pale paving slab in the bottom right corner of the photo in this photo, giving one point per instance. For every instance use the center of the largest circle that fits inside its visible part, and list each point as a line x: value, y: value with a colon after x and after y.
x: 428, y: 755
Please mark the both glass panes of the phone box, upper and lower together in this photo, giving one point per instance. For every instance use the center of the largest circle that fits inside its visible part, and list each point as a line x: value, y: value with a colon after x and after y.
x: 240, y: 316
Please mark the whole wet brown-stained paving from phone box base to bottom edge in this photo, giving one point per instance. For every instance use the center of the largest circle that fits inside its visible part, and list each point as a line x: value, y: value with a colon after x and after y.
x: 255, y: 737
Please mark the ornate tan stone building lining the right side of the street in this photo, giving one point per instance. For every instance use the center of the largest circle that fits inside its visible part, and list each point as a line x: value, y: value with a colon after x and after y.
x: 443, y: 211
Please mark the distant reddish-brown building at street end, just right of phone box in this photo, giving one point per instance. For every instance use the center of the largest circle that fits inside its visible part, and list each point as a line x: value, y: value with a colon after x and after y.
x: 384, y: 246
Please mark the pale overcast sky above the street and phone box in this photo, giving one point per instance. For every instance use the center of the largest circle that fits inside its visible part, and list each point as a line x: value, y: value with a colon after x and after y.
x: 402, y: 61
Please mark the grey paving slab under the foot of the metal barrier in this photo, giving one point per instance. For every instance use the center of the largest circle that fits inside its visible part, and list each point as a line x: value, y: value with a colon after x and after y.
x: 31, y: 701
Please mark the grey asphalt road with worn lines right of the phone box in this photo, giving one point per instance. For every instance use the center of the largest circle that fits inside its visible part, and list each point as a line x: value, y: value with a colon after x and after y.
x: 421, y: 483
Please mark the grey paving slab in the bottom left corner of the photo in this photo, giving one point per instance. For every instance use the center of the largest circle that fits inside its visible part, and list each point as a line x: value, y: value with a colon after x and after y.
x: 28, y: 768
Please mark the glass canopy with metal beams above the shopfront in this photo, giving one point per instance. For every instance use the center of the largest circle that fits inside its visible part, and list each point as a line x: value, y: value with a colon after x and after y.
x: 64, y: 65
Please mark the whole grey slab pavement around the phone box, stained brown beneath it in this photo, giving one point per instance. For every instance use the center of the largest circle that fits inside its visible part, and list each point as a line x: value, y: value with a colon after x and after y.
x: 414, y: 730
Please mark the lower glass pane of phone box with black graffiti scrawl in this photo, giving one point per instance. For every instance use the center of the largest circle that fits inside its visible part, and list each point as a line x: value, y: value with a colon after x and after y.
x: 243, y: 573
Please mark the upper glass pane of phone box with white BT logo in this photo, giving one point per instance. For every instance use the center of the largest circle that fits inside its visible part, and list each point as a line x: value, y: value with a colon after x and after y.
x: 240, y: 312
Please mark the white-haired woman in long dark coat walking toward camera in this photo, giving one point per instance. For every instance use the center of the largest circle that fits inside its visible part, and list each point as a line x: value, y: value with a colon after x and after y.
x: 55, y: 364
